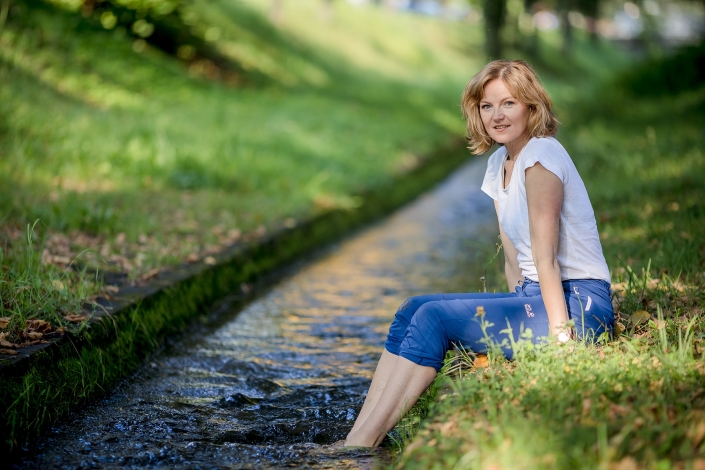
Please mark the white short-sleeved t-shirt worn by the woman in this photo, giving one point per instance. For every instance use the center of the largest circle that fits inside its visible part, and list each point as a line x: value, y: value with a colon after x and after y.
x: 579, y: 249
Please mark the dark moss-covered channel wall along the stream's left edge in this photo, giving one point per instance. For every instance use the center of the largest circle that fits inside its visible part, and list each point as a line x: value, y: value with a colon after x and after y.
x: 46, y: 381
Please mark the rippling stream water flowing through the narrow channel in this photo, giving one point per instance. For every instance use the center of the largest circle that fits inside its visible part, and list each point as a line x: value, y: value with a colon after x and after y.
x: 270, y: 385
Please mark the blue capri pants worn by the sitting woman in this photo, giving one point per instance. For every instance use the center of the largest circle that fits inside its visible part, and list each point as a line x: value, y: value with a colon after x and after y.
x: 426, y: 326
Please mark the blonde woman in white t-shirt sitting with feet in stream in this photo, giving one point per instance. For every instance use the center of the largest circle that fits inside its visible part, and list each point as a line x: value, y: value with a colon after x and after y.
x: 553, y: 256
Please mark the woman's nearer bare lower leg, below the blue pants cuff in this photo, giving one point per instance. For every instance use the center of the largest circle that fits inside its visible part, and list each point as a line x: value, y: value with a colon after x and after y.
x: 404, y: 387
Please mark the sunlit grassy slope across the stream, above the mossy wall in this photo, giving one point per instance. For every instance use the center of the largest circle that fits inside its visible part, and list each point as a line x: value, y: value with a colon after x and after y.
x: 142, y: 160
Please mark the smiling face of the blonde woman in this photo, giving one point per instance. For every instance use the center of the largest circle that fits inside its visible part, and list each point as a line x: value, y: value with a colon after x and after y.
x: 505, y: 118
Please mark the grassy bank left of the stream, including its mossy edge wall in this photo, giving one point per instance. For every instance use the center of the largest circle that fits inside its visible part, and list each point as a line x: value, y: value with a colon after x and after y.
x: 159, y: 182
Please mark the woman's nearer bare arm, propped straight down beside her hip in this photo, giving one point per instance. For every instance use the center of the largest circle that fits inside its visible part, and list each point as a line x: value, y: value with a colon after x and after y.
x: 544, y: 194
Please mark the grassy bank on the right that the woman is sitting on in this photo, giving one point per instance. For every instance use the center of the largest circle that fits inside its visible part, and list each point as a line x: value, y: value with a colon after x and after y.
x: 637, y: 402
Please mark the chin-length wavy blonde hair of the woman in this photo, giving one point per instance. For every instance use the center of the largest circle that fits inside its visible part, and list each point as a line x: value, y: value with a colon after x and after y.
x: 524, y: 85
